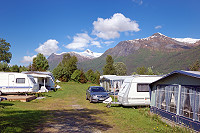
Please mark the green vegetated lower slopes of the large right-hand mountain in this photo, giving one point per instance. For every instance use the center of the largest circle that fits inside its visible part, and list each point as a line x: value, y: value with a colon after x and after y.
x: 162, y: 62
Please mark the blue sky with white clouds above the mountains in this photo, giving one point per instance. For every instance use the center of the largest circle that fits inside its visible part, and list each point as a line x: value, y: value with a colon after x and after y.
x: 56, y: 26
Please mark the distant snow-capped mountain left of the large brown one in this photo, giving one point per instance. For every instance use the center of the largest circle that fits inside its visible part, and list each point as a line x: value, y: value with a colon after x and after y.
x: 54, y: 59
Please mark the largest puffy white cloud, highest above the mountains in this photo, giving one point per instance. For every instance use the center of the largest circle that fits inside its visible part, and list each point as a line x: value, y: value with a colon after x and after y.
x: 110, y: 28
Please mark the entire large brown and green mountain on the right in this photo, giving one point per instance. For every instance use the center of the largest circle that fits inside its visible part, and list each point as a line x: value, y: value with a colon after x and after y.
x: 162, y: 53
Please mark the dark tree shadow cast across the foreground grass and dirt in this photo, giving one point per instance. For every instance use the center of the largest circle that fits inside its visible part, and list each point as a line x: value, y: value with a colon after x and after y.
x: 73, y: 120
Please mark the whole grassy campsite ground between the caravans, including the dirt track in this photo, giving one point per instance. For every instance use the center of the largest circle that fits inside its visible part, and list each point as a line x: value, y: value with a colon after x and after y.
x: 66, y: 110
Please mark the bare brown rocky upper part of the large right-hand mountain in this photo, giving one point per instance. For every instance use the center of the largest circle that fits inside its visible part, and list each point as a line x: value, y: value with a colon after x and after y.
x: 157, y: 42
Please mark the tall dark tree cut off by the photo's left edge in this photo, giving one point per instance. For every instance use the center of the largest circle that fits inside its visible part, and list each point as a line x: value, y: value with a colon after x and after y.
x: 5, y: 55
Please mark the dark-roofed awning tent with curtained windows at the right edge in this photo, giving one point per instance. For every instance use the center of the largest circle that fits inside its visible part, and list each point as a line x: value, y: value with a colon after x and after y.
x: 176, y: 97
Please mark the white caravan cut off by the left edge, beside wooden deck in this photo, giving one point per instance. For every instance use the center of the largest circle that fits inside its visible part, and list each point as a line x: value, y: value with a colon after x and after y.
x: 11, y: 82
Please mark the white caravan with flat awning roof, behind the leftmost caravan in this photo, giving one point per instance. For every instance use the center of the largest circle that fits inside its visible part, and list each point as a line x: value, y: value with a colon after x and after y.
x: 45, y: 80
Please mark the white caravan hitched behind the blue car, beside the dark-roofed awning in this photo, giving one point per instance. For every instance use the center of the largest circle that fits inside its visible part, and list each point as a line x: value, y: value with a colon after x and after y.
x: 135, y: 90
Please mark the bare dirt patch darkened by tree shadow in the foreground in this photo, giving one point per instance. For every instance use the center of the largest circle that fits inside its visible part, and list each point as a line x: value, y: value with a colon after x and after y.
x: 74, y: 120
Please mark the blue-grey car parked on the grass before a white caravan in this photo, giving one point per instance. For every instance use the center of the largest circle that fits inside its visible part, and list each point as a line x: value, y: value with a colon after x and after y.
x: 96, y: 94
